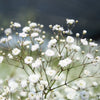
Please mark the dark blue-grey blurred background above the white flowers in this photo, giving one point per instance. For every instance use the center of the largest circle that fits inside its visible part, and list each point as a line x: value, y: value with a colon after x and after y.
x: 53, y: 12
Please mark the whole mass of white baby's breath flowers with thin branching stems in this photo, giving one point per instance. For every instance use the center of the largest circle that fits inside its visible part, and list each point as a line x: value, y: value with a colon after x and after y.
x: 66, y: 69
